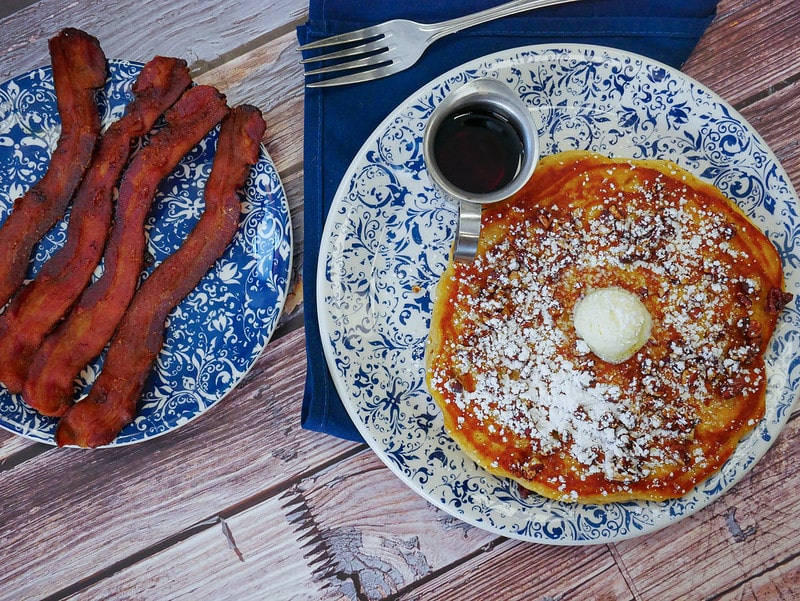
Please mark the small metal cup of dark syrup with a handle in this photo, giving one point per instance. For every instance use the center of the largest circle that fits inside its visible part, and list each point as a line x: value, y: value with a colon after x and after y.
x: 480, y: 146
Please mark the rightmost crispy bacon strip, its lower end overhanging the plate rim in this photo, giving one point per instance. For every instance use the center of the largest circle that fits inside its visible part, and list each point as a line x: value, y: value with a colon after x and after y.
x: 112, y: 401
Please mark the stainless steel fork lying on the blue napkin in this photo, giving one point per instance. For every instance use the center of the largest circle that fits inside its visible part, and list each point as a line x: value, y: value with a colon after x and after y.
x: 393, y: 46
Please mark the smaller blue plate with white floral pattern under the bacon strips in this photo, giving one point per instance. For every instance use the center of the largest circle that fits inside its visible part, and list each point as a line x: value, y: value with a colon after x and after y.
x: 218, y: 331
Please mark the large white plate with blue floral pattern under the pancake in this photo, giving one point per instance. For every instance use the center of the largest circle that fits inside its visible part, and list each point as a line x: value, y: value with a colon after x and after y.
x: 389, y: 233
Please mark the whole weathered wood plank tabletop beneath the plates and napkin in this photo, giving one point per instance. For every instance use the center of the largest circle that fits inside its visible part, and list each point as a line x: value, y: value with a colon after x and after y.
x: 244, y: 504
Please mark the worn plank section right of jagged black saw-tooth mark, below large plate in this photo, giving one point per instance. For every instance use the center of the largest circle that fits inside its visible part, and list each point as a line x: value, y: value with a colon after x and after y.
x: 374, y: 536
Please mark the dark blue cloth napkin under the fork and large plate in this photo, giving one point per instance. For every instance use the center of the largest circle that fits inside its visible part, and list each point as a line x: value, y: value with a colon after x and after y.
x: 338, y: 120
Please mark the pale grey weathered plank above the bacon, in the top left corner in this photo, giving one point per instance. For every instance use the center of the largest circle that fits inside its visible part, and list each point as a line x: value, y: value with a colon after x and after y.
x: 202, y: 32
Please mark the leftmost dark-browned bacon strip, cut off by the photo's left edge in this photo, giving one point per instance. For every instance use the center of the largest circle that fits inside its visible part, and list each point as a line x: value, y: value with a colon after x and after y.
x: 79, y: 70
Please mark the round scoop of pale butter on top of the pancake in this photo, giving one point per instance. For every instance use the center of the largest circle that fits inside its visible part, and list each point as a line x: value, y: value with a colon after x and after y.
x: 612, y: 322
